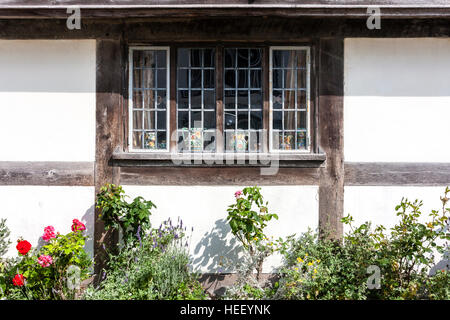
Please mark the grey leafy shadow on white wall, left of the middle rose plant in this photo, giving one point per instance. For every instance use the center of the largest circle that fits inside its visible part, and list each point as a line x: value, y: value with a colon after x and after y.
x: 217, y: 251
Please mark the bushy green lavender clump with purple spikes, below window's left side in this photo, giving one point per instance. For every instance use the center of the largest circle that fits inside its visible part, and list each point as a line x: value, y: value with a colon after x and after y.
x: 156, y: 268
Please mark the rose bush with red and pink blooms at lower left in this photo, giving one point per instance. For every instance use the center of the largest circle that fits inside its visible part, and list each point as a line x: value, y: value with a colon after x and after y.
x: 43, y: 273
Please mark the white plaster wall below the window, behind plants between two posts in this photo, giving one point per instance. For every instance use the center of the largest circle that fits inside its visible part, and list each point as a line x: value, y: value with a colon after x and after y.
x: 204, y: 208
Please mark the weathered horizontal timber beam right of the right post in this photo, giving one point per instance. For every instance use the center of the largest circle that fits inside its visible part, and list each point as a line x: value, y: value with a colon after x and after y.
x: 396, y: 174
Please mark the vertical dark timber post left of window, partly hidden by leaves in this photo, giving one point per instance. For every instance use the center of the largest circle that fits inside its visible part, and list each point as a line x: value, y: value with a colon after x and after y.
x: 109, y: 104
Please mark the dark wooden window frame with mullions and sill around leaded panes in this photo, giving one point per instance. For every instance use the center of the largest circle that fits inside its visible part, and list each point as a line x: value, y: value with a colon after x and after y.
x: 172, y: 47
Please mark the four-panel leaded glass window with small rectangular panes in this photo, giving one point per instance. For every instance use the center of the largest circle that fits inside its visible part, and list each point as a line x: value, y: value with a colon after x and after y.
x: 233, y: 98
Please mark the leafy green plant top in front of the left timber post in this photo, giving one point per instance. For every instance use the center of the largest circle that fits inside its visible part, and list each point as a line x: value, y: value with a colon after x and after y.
x: 118, y: 213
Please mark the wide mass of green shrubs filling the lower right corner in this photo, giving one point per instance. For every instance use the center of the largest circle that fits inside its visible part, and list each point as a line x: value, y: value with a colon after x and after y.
x: 403, y: 257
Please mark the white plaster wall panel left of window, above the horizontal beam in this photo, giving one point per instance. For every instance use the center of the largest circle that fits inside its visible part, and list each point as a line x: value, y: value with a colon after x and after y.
x: 47, y: 100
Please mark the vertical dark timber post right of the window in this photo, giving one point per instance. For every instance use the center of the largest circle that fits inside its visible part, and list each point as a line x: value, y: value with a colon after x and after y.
x: 331, y: 138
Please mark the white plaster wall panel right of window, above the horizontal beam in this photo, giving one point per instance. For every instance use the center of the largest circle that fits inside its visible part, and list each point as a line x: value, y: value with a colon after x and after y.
x: 397, y: 100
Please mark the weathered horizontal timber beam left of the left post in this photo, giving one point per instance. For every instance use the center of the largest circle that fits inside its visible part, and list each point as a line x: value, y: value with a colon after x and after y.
x: 39, y: 173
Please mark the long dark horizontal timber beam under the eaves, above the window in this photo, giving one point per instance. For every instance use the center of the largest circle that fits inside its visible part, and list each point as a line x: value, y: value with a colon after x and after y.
x: 250, y: 29
